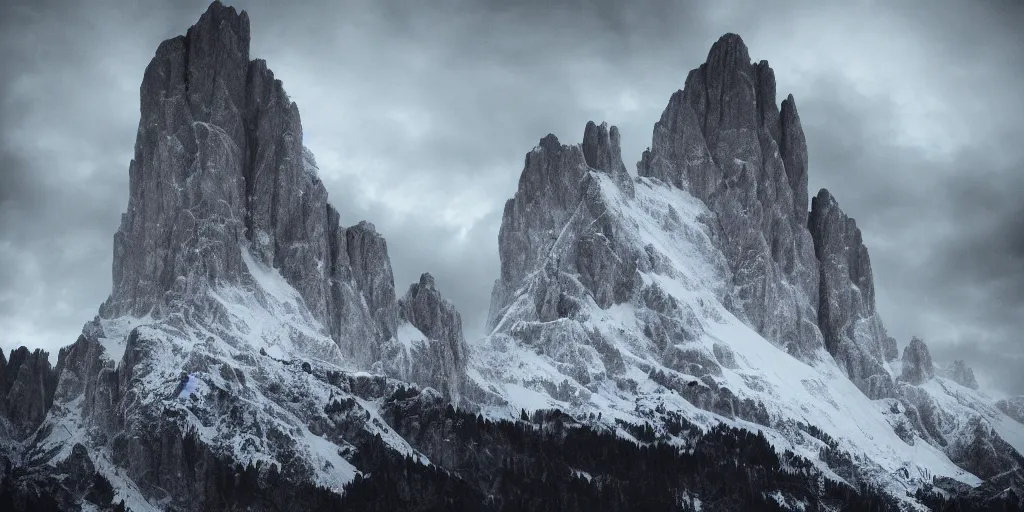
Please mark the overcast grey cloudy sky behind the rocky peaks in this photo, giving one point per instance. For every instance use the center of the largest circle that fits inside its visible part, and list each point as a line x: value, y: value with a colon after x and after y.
x: 420, y: 119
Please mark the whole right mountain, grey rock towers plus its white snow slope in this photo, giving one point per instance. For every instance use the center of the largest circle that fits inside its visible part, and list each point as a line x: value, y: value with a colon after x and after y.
x: 604, y: 283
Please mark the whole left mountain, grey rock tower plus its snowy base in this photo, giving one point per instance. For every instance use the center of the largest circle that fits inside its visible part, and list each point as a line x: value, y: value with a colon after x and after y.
x: 243, y: 318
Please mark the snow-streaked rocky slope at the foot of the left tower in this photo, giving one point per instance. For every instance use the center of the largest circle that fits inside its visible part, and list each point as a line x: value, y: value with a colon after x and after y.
x: 248, y: 370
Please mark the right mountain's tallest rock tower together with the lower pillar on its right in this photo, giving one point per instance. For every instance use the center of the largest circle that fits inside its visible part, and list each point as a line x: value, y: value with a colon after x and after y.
x: 801, y: 282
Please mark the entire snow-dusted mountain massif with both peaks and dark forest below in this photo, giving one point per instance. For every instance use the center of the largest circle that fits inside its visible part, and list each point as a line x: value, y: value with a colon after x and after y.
x: 254, y: 354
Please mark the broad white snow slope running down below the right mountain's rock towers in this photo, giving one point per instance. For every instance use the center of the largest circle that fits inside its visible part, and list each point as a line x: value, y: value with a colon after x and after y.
x: 529, y: 374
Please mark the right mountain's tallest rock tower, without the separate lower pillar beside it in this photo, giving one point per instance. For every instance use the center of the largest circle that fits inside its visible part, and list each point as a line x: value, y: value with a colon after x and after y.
x: 724, y: 141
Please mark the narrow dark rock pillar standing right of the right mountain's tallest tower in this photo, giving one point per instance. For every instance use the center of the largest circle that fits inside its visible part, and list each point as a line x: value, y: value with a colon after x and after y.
x: 852, y: 330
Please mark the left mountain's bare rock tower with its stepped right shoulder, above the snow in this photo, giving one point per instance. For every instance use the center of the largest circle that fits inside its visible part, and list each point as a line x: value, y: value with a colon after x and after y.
x: 221, y: 169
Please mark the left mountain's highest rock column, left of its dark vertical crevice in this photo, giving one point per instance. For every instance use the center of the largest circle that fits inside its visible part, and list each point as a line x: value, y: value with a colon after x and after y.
x: 187, y: 183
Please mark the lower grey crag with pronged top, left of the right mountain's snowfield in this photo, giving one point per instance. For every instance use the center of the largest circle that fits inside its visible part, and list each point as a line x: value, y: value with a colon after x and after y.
x: 557, y: 224
